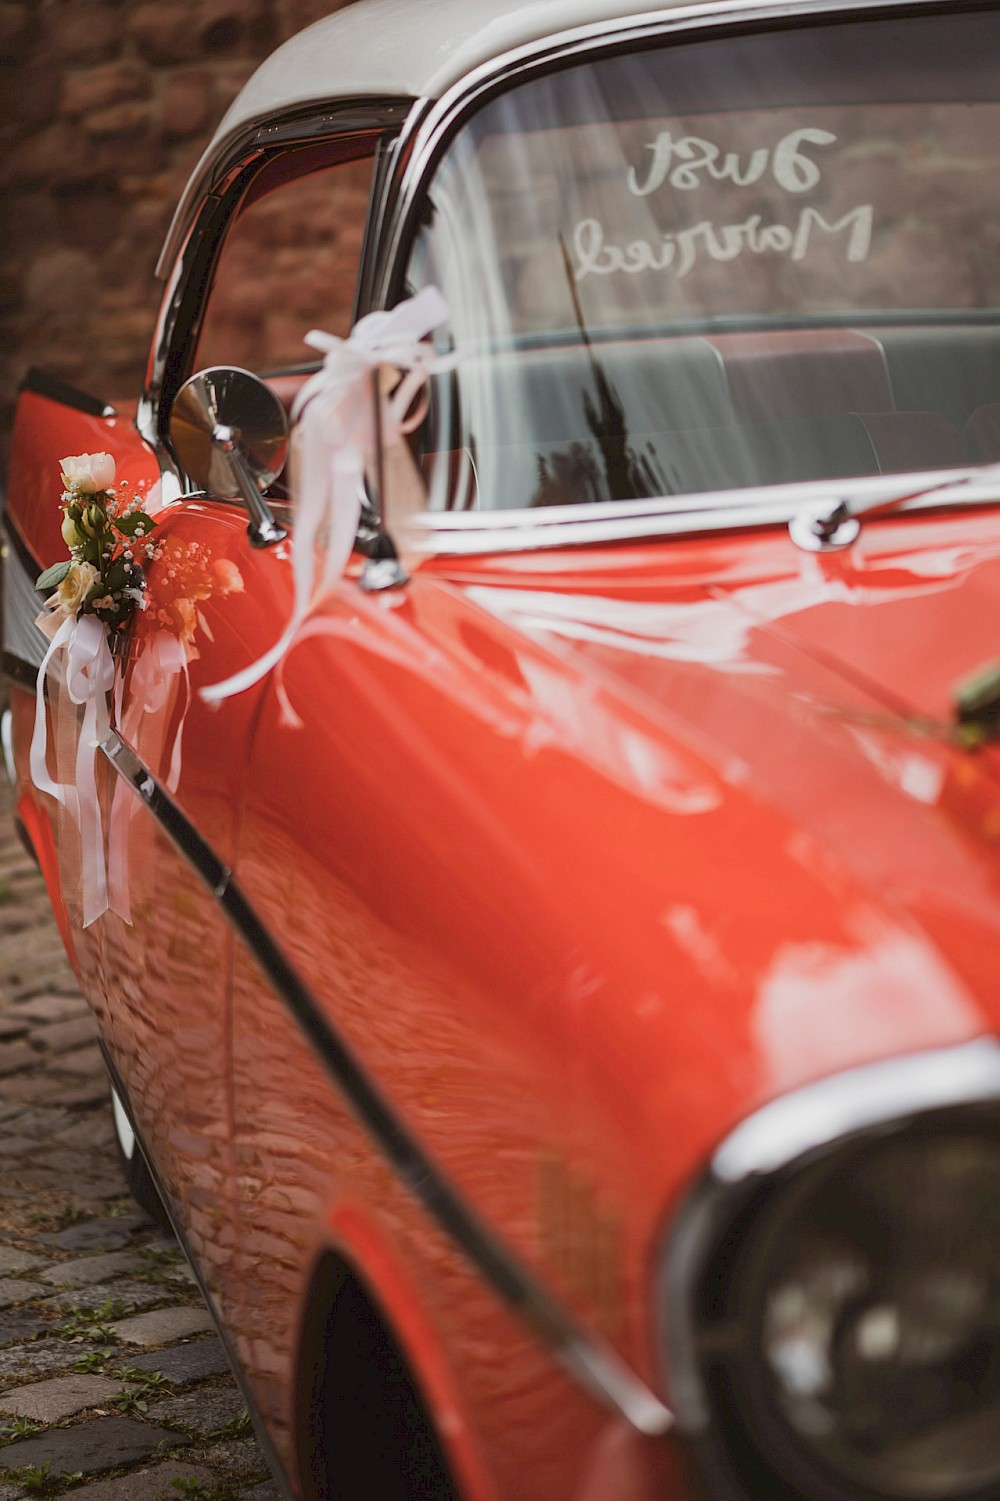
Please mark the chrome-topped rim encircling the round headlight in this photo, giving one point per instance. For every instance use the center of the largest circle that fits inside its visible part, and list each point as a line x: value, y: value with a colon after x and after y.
x: 788, y: 1154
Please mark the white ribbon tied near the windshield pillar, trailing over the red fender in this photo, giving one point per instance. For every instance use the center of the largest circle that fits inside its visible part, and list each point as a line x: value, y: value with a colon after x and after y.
x: 334, y: 414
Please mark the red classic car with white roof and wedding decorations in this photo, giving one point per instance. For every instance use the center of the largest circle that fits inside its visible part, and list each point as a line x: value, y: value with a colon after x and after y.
x: 535, y: 856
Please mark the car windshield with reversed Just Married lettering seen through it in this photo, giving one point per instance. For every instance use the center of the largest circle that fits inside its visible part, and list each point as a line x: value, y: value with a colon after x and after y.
x: 733, y: 262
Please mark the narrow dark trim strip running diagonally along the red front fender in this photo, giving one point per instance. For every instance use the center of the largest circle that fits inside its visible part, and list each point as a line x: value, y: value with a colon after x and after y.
x: 589, y: 1359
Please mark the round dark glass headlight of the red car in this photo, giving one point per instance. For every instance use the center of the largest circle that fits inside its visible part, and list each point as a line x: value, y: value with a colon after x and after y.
x: 852, y: 1335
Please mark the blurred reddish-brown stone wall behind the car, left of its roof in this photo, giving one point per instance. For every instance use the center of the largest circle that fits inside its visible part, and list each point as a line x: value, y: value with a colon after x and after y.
x: 104, y: 109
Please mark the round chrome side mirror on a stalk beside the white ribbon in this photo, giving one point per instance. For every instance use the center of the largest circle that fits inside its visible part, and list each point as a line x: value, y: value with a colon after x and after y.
x: 230, y: 435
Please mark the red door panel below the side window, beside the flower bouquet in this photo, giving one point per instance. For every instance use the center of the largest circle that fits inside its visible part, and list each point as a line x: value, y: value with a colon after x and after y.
x: 167, y: 951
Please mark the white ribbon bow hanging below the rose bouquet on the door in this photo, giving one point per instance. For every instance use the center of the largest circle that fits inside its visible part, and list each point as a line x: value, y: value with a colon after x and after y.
x: 89, y: 676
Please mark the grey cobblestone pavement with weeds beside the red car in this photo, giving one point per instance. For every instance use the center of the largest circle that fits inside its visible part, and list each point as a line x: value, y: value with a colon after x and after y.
x: 112, y: 1382
